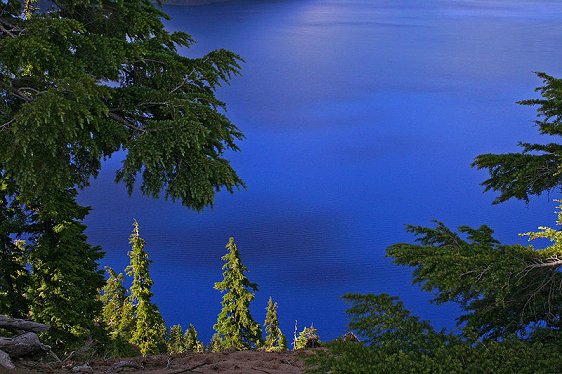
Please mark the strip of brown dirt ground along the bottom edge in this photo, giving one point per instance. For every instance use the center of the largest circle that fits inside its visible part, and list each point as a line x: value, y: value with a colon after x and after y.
x: 238, y: 362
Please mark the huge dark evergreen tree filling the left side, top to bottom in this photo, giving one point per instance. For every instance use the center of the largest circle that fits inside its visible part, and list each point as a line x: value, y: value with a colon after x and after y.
x: 79, y: 81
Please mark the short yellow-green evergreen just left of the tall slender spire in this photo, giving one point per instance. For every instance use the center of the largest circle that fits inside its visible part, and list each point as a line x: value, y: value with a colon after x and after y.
x: 117, y: 313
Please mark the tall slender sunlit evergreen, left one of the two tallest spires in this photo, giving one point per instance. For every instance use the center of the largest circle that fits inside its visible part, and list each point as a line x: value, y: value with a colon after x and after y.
x: 149, y: 333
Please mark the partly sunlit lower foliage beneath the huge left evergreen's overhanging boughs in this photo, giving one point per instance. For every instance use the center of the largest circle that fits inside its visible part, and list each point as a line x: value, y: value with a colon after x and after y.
x: 65, y: 278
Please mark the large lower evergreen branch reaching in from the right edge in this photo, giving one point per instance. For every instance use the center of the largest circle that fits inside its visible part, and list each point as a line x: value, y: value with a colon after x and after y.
x: 503, y: 289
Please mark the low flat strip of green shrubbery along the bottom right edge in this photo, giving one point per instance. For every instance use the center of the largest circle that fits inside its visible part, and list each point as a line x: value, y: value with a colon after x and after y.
x: 510, y: 356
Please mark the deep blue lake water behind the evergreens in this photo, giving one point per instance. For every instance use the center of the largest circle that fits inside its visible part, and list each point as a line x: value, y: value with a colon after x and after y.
x: 360, y: 116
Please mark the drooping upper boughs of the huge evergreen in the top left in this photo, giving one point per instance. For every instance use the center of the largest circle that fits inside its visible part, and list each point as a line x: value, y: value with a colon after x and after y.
x: 89, y: 78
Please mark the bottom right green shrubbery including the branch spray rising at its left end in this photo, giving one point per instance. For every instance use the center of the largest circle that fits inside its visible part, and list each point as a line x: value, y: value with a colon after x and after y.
x: 398, y: 342
